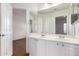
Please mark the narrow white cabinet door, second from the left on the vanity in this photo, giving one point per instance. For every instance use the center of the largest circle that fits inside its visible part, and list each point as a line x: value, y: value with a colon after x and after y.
x: 41, y: 48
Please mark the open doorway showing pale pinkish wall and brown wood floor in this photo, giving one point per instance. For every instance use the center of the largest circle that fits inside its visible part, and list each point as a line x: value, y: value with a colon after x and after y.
x: 19, y: 32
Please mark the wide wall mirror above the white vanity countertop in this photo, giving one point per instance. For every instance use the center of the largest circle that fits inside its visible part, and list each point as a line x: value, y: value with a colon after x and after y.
x: 57, y: 21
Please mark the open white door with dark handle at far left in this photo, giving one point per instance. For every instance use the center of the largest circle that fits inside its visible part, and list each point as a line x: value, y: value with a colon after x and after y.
x: 6, y: 29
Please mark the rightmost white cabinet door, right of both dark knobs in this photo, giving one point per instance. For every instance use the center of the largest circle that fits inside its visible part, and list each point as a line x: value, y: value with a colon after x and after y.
x: 72, y: 50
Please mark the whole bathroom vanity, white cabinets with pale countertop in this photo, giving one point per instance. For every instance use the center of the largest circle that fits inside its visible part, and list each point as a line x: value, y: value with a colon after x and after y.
x: 53, y: 45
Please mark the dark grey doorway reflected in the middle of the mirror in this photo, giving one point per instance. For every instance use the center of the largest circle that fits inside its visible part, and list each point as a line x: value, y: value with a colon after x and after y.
x: 61, y: 25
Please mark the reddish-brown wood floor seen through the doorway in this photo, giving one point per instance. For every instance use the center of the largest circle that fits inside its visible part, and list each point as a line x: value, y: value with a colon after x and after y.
x: 19, y: 47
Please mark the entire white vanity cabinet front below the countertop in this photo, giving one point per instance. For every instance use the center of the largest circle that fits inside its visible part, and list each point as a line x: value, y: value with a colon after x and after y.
x: 42, y: 47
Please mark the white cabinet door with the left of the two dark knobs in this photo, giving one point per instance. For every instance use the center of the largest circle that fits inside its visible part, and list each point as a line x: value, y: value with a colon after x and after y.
x: 53, y: 48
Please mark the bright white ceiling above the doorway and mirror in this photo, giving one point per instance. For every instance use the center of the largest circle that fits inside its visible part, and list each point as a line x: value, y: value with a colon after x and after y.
x: 40, y: 7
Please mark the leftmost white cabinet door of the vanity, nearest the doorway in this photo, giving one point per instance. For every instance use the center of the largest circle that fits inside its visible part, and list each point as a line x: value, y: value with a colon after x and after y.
x: 33, y: 47
